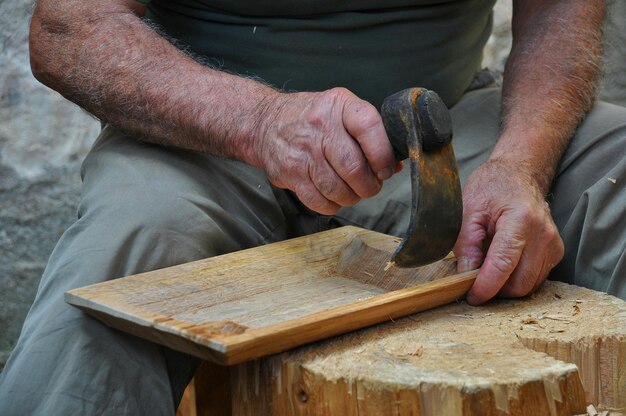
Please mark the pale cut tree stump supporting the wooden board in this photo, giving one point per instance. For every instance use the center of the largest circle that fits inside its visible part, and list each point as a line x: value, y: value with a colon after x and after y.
x: 551, y: 354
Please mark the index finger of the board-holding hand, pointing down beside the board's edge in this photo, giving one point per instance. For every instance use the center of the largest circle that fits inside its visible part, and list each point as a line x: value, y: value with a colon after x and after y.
x: 502, y: 258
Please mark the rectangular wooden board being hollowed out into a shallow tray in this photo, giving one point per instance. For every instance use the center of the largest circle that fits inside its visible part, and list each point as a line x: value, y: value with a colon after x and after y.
x: 248, y: 304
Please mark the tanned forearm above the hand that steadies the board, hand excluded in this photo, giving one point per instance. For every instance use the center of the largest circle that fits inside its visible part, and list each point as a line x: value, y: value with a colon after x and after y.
x: 549, y: 81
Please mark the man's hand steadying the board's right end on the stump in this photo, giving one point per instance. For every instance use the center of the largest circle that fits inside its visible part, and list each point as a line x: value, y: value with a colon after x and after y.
x: 503, y: 205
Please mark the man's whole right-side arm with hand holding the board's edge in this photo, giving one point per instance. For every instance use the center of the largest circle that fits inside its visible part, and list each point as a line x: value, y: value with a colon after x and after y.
x: 549, y: 84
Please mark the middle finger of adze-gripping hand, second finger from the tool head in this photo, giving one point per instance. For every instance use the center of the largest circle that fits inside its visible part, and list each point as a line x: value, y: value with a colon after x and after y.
x: 348, y: 161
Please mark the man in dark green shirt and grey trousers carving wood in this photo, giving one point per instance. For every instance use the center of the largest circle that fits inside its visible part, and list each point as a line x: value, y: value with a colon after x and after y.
x: 197, y: 159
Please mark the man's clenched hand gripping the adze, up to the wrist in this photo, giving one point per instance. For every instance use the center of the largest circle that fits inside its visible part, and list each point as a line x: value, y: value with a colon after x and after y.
x: 330, y: 148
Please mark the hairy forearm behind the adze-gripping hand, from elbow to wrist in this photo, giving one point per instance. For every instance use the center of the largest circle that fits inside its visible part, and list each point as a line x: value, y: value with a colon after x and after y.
x: 102, y: 56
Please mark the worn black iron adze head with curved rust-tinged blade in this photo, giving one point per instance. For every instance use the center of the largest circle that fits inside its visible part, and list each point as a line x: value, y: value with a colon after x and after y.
x: 419, y: 128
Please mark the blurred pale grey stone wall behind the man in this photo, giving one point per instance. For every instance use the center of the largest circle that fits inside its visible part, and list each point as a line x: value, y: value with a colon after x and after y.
x: 43, y: 139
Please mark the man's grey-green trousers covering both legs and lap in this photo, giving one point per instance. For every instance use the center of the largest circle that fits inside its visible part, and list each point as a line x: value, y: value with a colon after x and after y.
x: 145, y: 207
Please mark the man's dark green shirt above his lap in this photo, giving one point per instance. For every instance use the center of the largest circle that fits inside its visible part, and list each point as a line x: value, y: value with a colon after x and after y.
x: 372, y: 47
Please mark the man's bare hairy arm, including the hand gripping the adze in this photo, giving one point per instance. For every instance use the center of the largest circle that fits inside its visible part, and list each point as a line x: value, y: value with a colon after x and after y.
x: 330, y: 148
